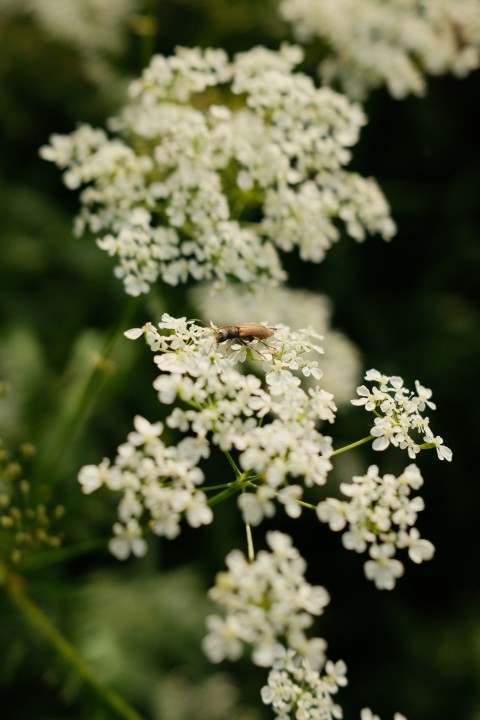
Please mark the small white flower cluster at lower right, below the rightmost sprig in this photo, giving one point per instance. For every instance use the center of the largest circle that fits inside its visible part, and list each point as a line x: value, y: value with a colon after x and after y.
x: 380, y: 515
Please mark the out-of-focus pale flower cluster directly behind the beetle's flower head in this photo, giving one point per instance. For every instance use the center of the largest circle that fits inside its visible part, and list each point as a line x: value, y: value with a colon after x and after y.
x: 294, y: 307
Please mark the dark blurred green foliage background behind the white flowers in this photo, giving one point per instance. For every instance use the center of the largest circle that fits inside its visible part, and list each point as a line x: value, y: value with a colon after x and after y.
x: 411, y: 306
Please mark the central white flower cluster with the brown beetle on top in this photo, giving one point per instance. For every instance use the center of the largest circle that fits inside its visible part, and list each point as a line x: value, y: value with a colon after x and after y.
x: 232, y: 408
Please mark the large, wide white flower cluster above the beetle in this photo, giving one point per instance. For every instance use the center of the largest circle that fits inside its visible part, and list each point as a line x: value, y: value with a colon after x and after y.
x: 213, y: 166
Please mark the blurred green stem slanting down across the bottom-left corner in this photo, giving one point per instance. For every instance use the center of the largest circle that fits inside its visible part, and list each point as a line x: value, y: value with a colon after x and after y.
x: 40, y: 622
